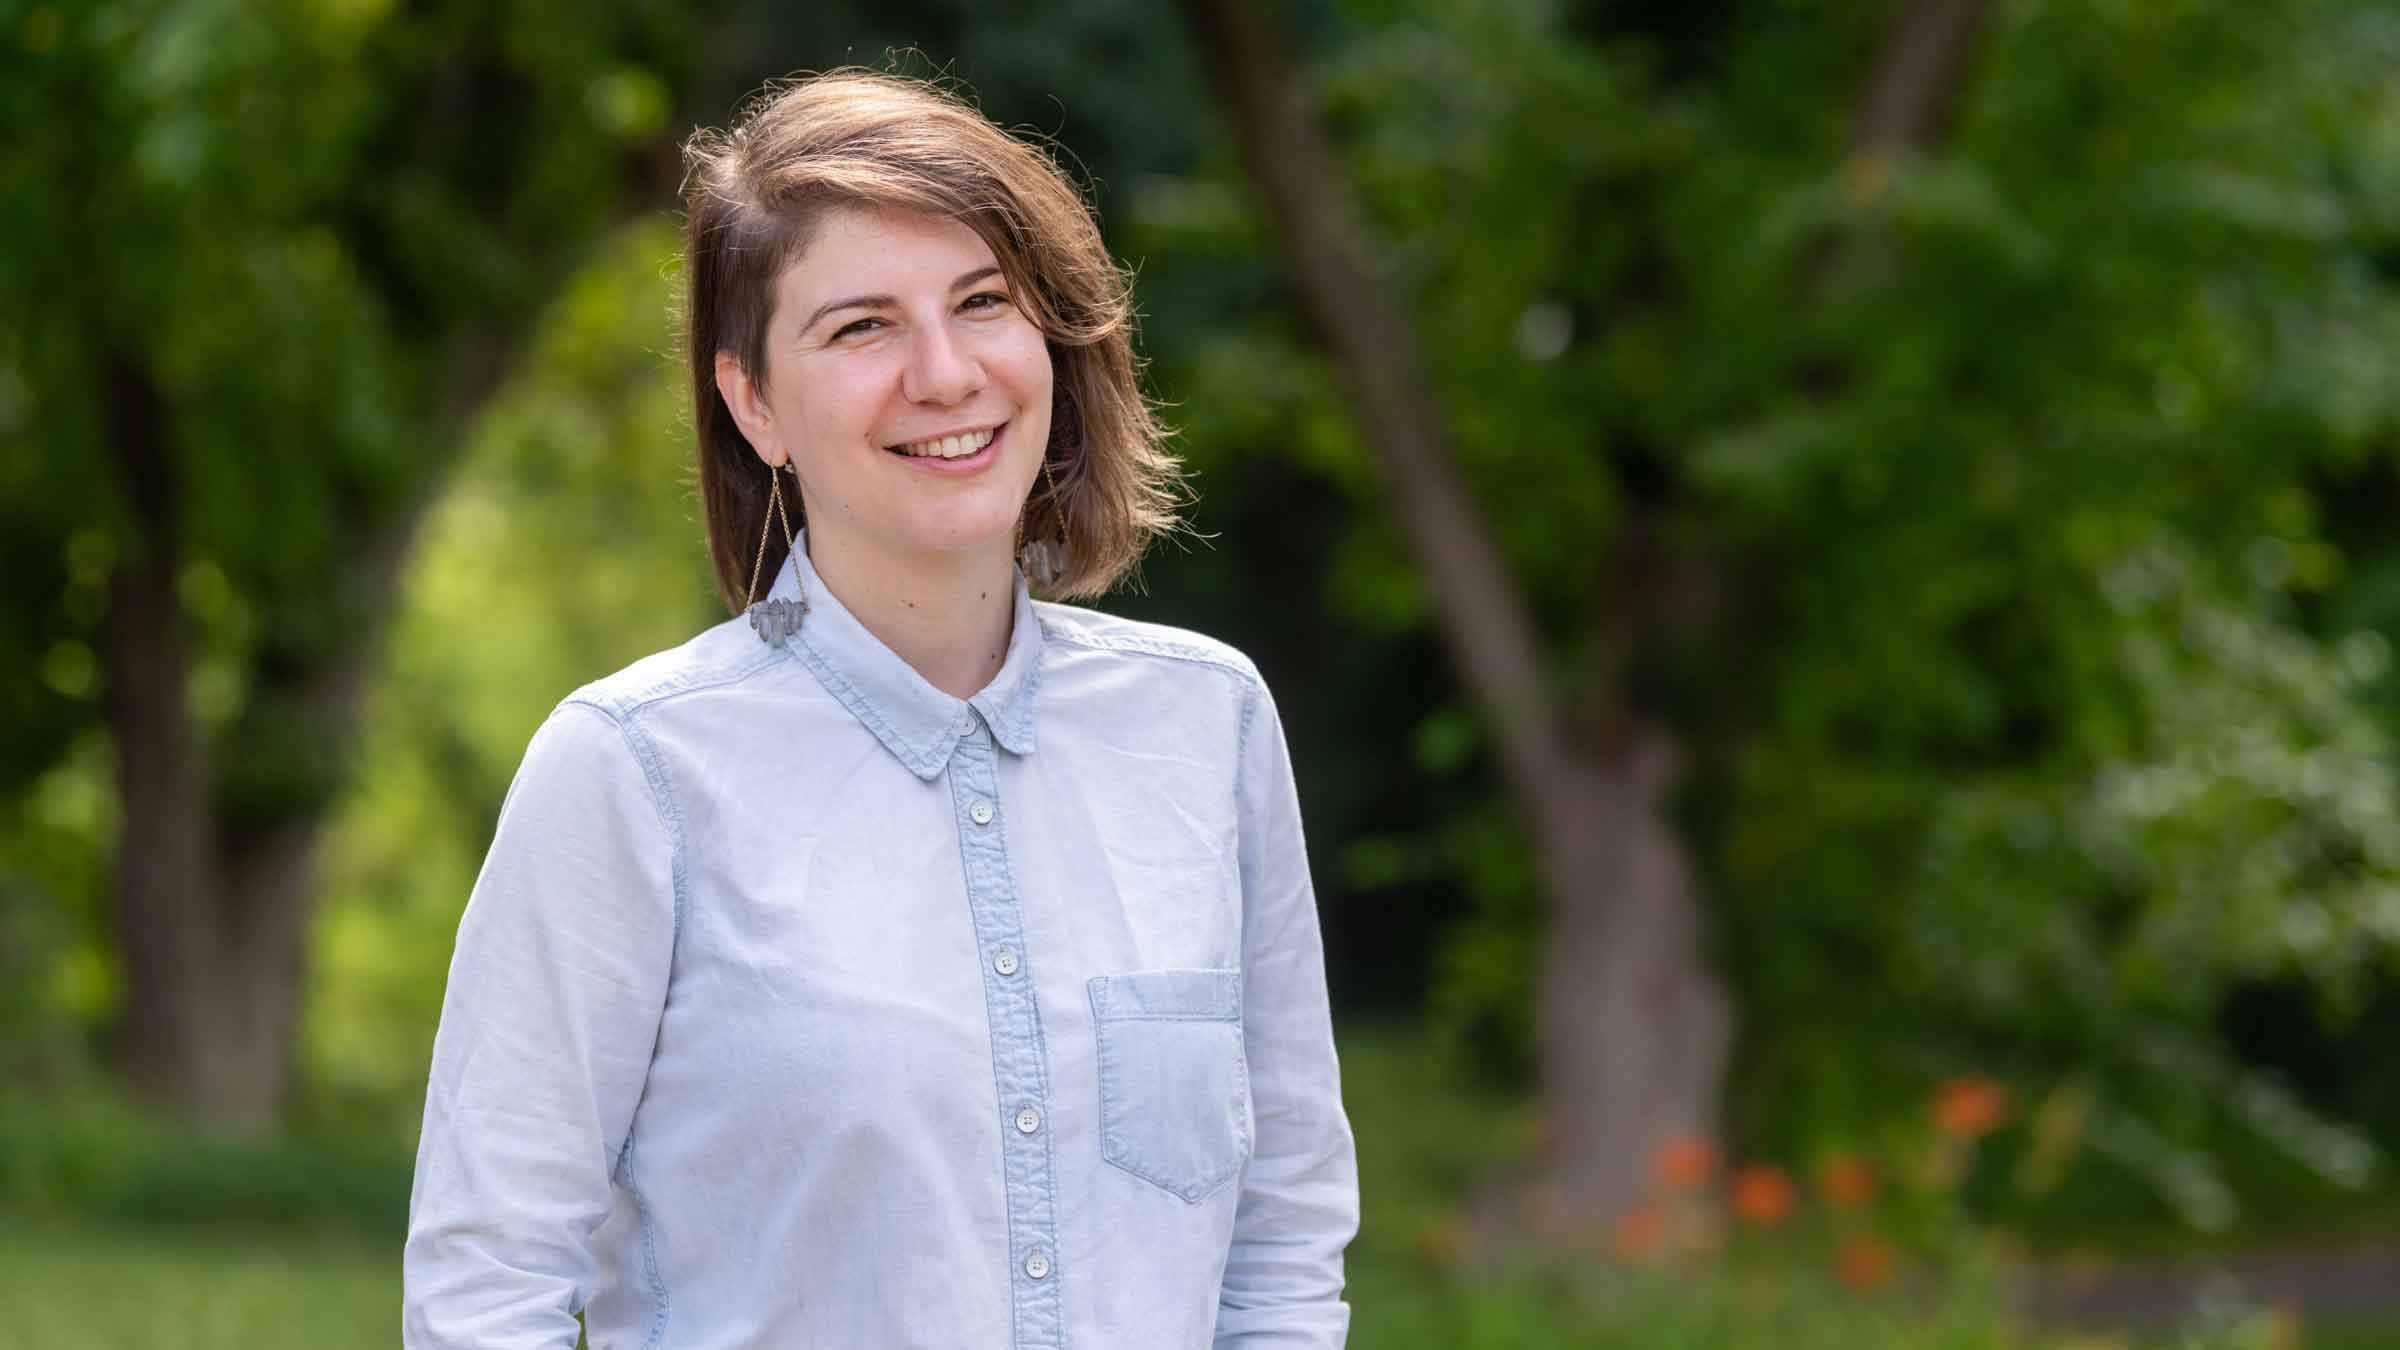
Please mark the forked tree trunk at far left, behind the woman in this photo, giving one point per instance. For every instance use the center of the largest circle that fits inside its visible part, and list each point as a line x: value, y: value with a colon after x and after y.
x: 212, y: 914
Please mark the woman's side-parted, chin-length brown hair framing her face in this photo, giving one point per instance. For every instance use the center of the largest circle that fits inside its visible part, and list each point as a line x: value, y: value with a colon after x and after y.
x: 858, y: 138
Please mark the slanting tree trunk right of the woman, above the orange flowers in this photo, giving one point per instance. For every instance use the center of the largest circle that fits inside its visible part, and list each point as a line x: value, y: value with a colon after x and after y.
x: 1636, y: 1022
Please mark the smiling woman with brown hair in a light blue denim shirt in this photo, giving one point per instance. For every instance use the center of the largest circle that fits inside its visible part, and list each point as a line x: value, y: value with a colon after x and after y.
x: 906, y: 962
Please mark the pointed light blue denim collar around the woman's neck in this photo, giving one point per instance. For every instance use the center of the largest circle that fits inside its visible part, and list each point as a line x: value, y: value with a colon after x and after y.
x: 911, y: 717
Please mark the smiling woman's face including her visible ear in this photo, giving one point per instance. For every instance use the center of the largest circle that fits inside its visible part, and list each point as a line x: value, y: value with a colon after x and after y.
x: 904, y: 386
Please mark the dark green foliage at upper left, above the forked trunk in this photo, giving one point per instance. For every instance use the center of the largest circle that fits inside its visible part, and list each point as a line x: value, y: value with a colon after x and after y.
x: 311, y: 232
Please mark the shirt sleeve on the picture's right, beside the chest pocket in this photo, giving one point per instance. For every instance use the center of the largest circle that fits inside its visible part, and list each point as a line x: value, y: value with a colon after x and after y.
x: 1300, y: 1195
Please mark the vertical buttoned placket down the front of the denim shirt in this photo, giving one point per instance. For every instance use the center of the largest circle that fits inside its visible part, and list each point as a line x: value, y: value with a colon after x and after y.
x: 1019, y: 1056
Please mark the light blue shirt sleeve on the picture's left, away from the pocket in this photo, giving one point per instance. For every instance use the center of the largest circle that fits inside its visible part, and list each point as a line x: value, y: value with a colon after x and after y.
x: 546, y: 1041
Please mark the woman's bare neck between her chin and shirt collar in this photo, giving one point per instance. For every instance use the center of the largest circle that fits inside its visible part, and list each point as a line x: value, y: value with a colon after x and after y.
x: 949, y: 614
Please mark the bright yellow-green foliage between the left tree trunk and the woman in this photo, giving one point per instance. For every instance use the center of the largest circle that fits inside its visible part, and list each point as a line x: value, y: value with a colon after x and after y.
x: 572, y: 532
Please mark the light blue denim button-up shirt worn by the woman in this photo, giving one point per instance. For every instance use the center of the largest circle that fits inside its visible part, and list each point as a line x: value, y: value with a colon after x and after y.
x: 803, y: 1005
